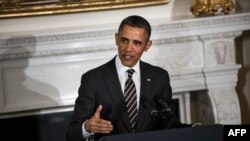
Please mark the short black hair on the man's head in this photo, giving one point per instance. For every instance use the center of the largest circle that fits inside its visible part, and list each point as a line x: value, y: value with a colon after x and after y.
x: 138, y: 22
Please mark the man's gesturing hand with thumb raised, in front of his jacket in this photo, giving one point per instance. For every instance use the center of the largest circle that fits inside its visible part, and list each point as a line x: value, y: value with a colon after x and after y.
x: 97, y: 125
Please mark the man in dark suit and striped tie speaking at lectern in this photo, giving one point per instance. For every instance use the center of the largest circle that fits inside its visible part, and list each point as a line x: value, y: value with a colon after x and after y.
x: 101, y: 107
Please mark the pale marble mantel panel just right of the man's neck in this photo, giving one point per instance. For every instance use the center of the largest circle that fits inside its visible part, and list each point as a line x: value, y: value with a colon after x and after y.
x: 177, y: 56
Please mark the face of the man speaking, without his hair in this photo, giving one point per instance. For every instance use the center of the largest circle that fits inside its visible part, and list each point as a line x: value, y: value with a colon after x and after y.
x: 131, y: 42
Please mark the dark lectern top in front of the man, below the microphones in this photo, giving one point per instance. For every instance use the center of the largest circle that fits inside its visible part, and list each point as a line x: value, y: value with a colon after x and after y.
x: 199, y: 133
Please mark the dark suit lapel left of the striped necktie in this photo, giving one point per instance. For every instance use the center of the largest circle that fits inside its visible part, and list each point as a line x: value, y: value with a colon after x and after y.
x: 113, y: 85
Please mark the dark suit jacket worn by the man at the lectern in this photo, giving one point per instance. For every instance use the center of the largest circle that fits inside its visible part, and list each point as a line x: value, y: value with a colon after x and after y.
x: 101, y: 86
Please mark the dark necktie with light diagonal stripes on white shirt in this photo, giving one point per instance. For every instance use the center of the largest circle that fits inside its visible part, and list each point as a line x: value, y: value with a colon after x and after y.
x: 130, y: 99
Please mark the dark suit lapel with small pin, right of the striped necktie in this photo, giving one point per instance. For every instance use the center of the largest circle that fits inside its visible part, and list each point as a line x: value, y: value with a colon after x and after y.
x: 143, y: 115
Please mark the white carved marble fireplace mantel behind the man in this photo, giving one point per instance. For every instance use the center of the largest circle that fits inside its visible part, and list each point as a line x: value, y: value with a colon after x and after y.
x: 41, y: 70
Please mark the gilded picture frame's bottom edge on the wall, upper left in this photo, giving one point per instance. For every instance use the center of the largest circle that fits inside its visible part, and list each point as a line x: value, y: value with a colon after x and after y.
x: 20, y: 8
